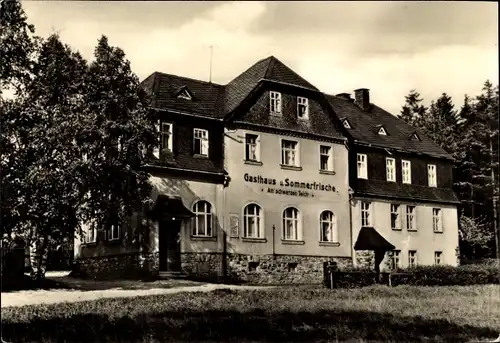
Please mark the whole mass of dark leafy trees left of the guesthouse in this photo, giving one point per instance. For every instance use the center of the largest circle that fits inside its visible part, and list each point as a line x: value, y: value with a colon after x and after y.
x: 73, y: 138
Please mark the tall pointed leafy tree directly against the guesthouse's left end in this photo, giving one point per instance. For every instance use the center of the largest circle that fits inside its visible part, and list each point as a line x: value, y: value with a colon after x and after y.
x: 116, y: 130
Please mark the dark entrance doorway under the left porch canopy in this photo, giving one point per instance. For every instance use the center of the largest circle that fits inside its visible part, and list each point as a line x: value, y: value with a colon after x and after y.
x: 169, y: 245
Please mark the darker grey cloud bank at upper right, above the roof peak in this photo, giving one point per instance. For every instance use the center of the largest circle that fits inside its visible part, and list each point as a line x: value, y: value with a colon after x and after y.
x: 382, y: 28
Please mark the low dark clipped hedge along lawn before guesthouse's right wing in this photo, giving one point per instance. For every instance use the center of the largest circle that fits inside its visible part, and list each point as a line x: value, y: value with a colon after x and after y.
x: 420, y: 276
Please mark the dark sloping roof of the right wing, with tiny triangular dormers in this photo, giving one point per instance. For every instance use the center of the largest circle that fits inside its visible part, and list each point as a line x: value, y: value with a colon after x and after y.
x: 365, y: 126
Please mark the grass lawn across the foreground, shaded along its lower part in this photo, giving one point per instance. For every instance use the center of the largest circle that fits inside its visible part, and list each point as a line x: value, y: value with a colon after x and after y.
x: 288, y: 314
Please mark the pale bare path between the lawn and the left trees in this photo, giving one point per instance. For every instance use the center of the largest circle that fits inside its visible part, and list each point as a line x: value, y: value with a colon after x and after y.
x: 23, y: 298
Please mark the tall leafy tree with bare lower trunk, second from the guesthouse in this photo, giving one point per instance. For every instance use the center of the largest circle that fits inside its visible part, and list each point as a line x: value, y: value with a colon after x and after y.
x: 48, y: 124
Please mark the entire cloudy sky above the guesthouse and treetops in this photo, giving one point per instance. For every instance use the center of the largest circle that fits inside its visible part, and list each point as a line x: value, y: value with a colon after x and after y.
x: 387, y: 47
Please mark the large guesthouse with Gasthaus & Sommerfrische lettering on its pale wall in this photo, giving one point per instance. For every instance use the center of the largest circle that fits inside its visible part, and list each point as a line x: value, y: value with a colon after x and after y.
x: 266, y: 178
